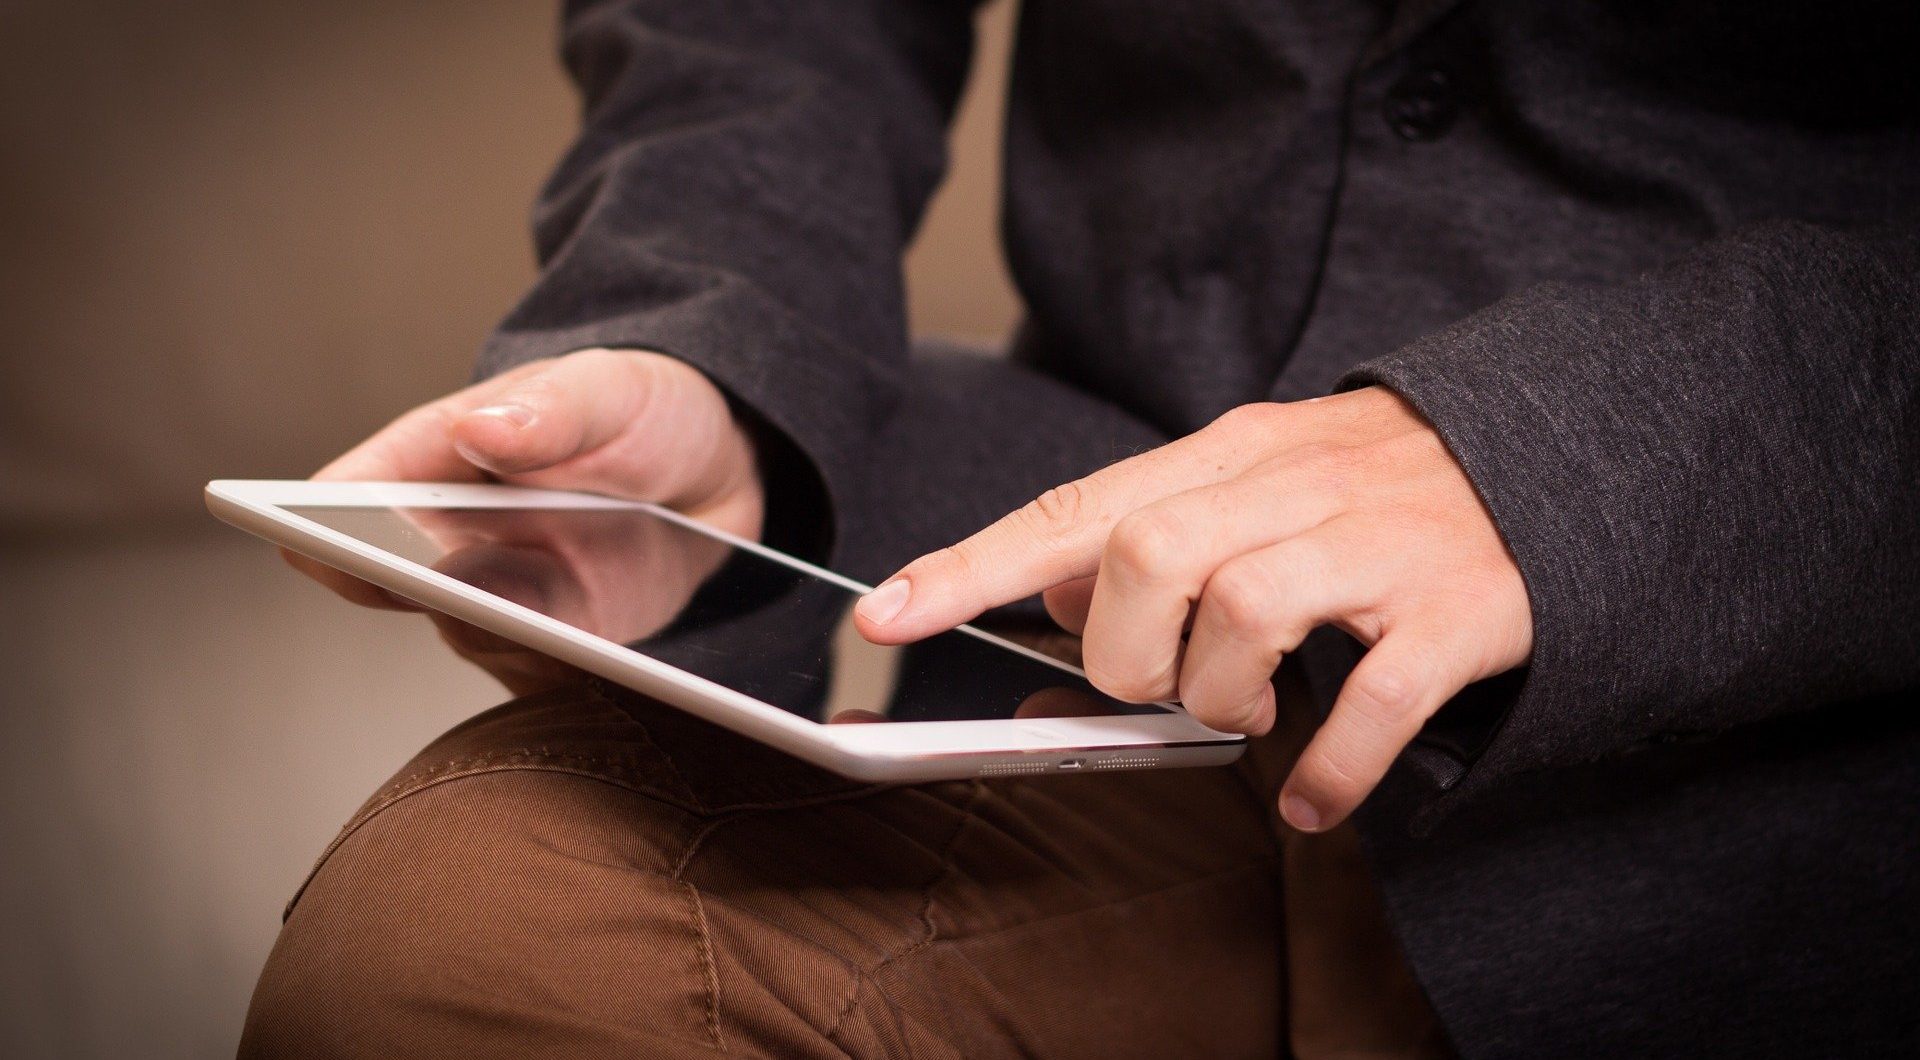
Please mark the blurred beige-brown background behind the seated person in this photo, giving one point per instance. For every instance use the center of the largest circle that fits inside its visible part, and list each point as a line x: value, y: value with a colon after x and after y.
x: 235, y: 237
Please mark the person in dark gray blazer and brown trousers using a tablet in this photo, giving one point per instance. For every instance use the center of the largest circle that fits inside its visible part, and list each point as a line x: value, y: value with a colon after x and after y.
x: 1506, y: 408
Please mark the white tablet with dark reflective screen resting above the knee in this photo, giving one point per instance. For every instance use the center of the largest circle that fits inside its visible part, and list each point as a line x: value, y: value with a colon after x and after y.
x: 725, y: 629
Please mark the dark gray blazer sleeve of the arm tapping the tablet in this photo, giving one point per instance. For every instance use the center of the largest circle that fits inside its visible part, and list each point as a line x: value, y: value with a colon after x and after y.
x: 1710, y: 479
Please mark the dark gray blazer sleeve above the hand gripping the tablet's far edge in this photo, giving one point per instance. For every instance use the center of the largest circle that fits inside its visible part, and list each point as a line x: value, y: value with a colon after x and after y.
x: 740, y: 195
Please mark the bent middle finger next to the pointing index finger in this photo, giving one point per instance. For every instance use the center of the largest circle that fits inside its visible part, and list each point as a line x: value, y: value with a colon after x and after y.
x: 1161, y: 558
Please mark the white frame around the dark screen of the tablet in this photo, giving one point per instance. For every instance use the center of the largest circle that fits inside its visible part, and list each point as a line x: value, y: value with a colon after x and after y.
x: 873, y: 752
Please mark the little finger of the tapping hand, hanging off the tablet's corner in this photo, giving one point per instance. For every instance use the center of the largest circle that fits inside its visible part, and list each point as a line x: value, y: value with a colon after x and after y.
x: 1378, y: 713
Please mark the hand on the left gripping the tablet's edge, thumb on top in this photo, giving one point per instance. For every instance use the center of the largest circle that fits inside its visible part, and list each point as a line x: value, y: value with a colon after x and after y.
x: 623, y: 423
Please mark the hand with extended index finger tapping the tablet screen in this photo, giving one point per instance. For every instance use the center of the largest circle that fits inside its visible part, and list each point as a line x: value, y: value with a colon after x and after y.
x: 1245, y: 537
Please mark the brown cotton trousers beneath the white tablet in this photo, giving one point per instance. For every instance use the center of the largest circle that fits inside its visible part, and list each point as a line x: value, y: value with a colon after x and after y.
x: 590, y: 875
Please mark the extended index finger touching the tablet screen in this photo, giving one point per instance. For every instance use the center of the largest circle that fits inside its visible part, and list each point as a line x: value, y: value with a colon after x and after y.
x: 1055, y: 539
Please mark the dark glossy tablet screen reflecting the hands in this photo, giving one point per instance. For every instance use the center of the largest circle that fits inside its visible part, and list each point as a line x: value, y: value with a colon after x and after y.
x: 729, y: 615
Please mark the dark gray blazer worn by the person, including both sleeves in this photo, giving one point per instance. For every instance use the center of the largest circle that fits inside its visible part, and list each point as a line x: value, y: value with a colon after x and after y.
x: 1652, y: 270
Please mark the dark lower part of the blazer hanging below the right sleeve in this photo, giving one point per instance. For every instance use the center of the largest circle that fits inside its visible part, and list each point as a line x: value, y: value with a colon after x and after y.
x: 1740, y: 896
